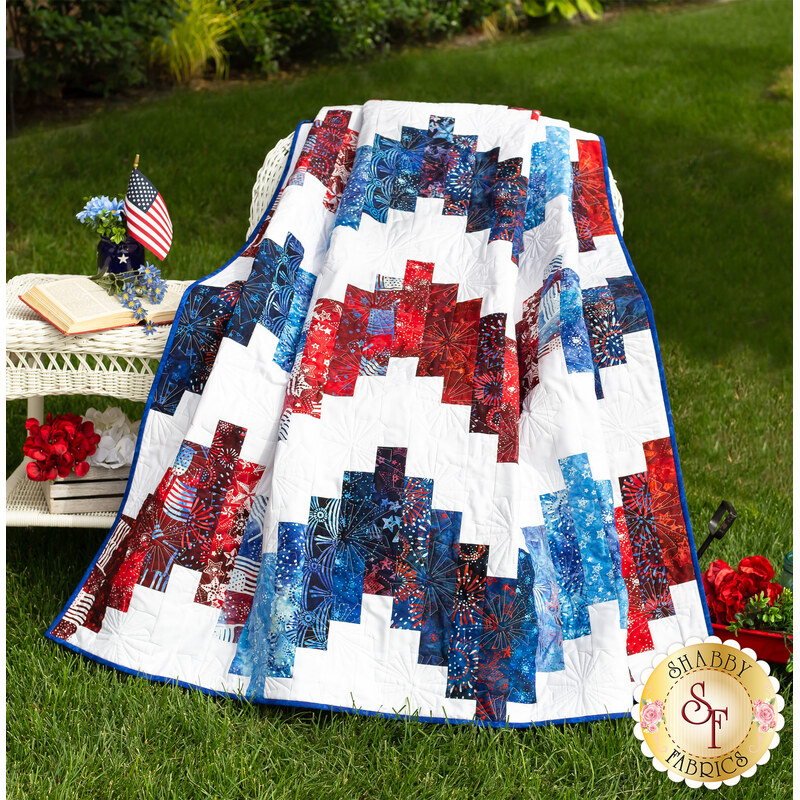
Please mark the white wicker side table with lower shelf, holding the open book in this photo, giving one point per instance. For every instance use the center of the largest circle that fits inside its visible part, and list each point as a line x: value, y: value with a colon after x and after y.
x: 41, y: 361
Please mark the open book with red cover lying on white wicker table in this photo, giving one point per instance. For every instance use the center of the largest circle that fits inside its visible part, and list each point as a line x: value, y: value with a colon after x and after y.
x: 79, y: 305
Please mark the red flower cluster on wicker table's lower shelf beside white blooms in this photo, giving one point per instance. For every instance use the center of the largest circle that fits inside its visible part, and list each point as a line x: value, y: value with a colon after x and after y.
x: 59, y: 446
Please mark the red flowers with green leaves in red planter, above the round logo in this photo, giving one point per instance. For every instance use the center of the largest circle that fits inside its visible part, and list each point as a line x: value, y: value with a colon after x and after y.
x: 747, y: 605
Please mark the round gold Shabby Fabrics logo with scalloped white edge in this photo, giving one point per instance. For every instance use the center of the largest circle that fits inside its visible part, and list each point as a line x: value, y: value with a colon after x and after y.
x: 708, y: 713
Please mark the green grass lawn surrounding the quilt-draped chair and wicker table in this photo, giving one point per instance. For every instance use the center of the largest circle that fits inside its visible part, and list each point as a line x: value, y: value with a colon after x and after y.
x: 700, y: 142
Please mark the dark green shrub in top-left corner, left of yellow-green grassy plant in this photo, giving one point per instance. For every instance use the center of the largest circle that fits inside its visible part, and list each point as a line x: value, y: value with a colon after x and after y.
x: 98, y: 46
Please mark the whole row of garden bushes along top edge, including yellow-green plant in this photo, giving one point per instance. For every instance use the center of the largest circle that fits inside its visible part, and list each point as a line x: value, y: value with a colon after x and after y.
x: 107, y: 45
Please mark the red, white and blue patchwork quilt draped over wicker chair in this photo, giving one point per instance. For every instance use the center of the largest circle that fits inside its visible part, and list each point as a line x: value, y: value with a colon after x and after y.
x: 410, y: 451
